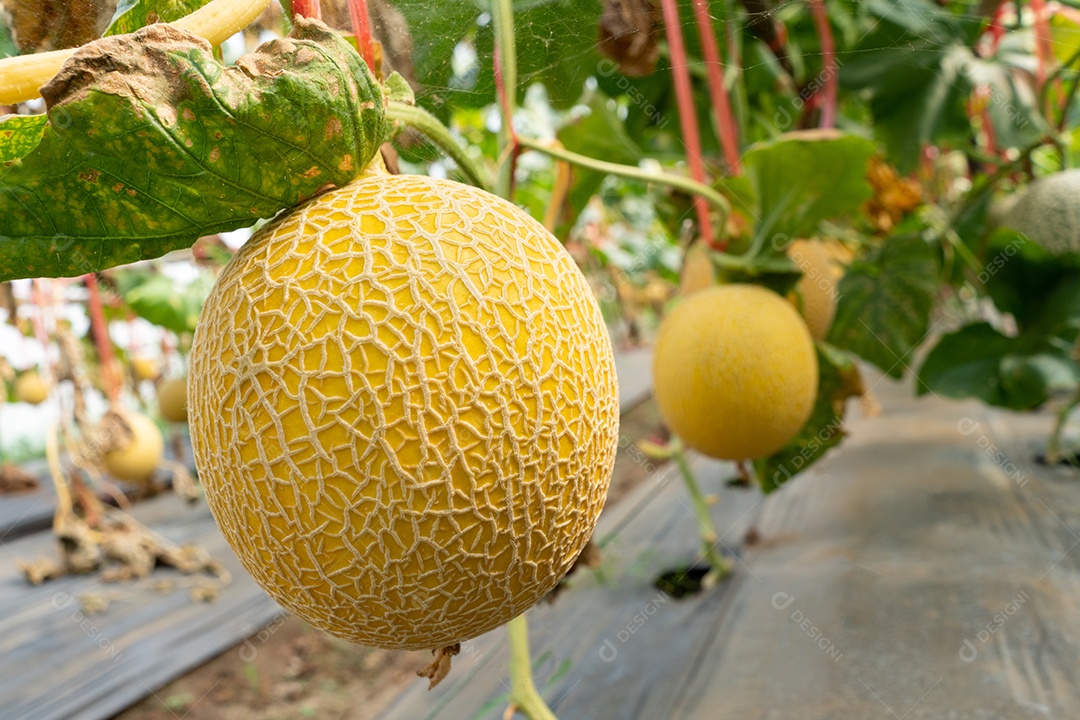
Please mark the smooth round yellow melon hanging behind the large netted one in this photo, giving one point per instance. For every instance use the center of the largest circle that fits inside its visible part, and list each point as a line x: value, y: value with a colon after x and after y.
x: 735, y: 372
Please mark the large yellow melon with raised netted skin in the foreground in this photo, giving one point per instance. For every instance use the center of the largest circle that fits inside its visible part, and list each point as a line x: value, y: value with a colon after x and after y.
x: 404, y: 411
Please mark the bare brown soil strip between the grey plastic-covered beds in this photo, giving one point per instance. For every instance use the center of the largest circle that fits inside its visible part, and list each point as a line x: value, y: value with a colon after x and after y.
x: 291, y: 670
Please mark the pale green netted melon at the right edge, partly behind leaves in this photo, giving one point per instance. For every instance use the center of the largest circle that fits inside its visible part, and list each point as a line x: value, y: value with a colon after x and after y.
x: 1048, y: 212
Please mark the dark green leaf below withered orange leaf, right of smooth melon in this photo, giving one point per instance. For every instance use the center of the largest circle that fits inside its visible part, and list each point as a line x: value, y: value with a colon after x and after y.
x: 884, y: 304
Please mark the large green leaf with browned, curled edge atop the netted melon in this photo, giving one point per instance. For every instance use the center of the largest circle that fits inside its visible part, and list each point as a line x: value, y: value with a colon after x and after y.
x: 152, y: 144
